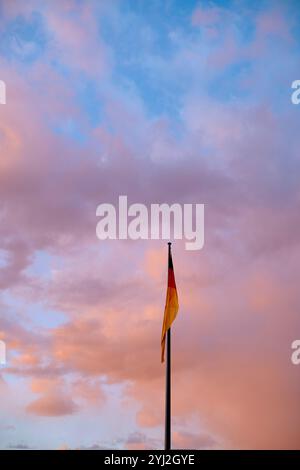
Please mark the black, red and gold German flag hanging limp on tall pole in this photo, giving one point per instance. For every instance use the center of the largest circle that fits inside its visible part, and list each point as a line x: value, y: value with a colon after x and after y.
x: 172, y: 305
